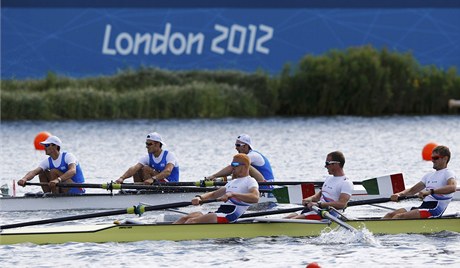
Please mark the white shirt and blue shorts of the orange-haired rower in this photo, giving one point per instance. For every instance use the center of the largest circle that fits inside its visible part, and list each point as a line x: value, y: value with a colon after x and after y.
x: 231, y: 210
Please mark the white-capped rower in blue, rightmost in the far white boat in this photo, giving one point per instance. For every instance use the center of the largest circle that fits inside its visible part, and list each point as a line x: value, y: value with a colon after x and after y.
x: 260, y: 168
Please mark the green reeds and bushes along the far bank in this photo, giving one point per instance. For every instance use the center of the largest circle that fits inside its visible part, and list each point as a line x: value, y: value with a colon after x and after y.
x: 360, y: 81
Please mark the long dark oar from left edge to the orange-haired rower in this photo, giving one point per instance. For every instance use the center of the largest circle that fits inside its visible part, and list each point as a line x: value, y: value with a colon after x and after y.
x: 131, y: 210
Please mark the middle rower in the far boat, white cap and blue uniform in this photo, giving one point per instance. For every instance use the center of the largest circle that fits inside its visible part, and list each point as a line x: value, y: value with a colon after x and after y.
x: 157, y: 165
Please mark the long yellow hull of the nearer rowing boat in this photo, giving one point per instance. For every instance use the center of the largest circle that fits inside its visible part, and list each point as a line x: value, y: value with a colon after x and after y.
x: 258, y: 227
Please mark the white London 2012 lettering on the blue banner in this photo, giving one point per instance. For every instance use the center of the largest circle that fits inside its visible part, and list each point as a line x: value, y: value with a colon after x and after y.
x: 236, y: 39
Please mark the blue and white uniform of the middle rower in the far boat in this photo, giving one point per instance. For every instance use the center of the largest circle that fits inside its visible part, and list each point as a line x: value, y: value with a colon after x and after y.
x: 159, y: 163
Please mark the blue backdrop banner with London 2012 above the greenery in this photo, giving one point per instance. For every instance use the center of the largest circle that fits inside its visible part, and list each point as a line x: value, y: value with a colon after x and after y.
x: 88, y: 38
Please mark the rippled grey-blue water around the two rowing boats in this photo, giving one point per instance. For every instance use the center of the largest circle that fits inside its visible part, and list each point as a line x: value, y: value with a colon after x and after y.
x: 296, y: 147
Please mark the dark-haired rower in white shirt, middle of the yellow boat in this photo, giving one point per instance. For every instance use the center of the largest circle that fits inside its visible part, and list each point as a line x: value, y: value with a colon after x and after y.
x: 335, y: 192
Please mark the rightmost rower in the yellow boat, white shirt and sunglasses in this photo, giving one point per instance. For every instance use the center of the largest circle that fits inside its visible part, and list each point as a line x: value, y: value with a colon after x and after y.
x: 436, y: 188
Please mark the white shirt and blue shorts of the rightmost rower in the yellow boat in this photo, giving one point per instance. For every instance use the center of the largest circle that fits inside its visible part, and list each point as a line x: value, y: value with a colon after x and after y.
x: 433, y: 206
